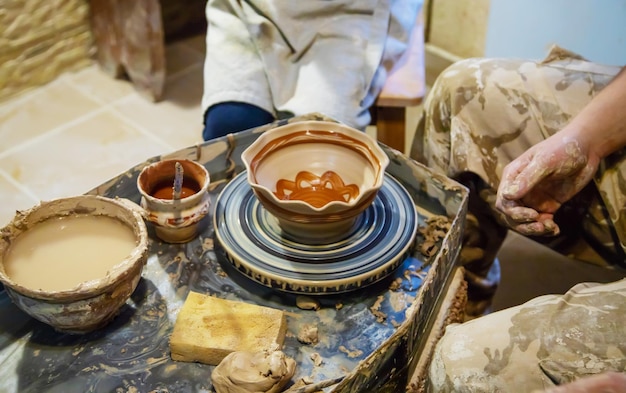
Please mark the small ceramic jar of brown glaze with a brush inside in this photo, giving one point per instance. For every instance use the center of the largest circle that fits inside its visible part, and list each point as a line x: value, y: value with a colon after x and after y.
x: 176, y: 218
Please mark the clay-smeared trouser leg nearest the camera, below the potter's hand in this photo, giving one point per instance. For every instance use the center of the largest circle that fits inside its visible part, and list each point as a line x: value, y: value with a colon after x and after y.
x: 553, y: 339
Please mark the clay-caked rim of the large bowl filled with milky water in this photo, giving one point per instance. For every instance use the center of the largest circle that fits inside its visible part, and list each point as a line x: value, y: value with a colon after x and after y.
x: 87, y: 289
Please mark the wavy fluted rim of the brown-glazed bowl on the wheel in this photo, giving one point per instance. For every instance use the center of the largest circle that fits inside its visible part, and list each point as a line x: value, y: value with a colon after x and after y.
x: 318, y: 125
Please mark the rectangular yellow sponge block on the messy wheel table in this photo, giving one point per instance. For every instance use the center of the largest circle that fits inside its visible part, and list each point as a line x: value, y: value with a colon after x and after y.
x: 208, y: 328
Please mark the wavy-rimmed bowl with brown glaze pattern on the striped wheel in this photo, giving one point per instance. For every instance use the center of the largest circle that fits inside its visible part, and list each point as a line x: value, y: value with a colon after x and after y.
x: 315, y: 177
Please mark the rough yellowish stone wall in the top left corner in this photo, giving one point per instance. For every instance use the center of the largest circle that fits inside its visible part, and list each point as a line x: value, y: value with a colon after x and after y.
x: 41, y: 39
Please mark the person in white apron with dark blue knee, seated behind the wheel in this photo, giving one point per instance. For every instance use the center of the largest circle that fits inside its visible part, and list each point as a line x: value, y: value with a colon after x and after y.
x: 273, y: 59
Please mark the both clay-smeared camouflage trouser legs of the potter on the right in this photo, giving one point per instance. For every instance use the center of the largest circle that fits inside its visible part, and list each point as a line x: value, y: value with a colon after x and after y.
x: 480, y: 115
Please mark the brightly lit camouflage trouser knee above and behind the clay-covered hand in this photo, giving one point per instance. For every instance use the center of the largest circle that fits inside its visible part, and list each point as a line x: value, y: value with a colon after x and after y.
x: 483, y: 113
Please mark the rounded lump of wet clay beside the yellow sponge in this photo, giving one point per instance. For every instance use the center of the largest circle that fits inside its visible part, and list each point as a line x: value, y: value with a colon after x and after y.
x: 253, y: 372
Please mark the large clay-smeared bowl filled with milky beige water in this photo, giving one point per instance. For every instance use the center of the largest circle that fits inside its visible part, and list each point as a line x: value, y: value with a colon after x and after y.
x: 73, y: 262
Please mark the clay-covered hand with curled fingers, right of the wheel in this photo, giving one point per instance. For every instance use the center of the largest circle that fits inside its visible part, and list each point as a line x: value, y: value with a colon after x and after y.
x: 537, y: 183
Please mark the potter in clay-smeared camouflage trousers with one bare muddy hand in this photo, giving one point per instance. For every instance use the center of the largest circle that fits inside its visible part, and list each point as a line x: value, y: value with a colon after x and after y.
x: 541, y: 146
